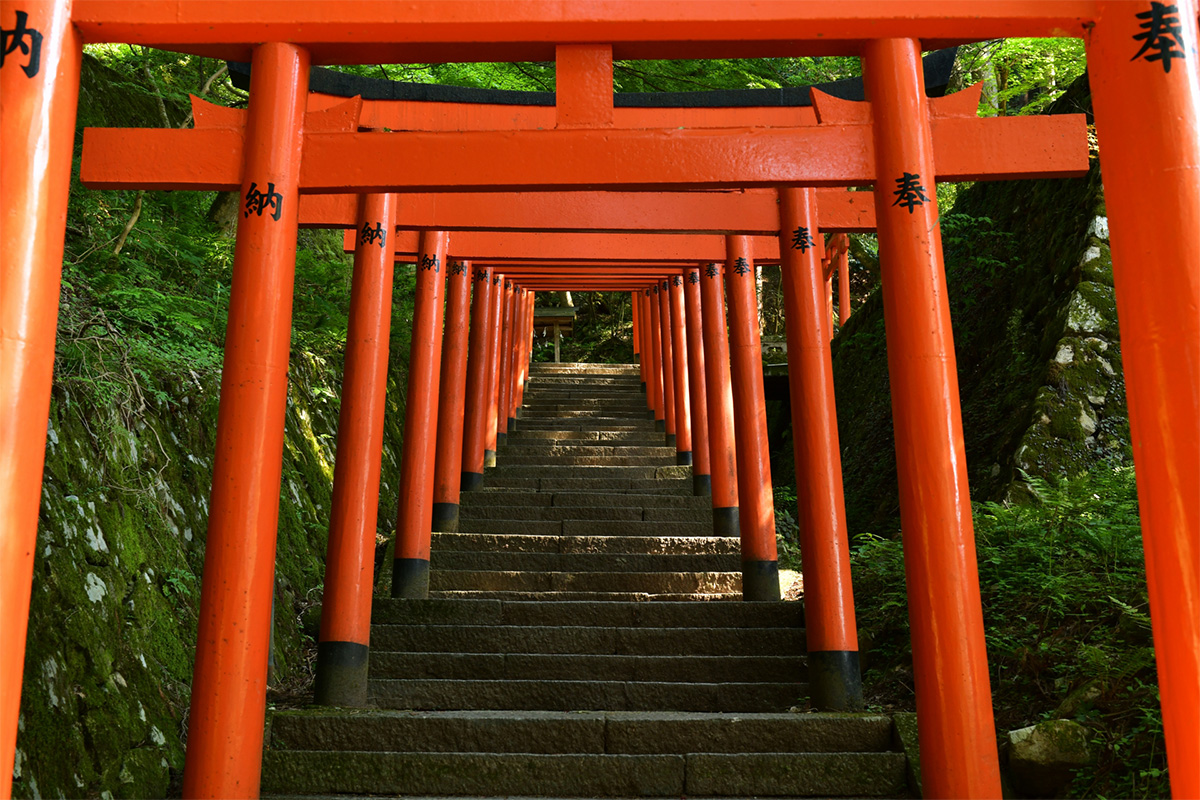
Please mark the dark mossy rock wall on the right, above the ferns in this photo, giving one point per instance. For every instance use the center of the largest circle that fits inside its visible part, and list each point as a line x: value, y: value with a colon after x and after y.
x: 1030, y: 281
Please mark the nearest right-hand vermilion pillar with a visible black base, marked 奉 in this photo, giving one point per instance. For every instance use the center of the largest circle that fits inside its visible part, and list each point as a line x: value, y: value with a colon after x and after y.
x: 835, y: 679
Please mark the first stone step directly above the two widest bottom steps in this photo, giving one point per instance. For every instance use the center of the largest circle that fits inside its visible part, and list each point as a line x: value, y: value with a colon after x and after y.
x: 586, y: 695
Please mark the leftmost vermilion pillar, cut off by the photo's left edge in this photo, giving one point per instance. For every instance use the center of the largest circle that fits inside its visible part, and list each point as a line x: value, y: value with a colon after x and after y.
x: 38, y: 113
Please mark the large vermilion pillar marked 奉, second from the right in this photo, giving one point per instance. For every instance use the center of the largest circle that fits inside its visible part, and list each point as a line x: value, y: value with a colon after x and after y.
x: 958, y: 739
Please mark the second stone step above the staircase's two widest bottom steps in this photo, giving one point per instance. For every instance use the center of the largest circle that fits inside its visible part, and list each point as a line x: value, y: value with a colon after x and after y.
x: 499, y: 666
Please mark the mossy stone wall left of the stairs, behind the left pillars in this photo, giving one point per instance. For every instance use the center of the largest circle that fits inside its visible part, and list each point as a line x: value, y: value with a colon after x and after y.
x: 117, y: 580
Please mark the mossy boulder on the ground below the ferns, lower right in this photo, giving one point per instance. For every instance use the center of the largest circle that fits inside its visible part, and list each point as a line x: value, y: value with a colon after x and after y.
x: 1042, y: 759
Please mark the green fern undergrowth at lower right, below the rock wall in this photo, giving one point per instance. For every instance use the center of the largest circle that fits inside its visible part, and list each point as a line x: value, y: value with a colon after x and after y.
x: 1065, y: 617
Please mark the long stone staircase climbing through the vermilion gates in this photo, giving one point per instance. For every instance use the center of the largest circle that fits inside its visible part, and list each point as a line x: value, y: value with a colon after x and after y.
x: 538, y: 669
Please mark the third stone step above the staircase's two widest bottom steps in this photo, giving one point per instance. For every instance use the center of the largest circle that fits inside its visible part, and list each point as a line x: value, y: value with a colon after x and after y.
x: 595, y: 640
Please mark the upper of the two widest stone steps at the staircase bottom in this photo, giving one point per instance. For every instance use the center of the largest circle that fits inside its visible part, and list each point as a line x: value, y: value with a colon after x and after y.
x: 585, y: 732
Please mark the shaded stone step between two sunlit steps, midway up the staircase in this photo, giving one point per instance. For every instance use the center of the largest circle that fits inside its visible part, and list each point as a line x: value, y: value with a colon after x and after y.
x: 561, y: 563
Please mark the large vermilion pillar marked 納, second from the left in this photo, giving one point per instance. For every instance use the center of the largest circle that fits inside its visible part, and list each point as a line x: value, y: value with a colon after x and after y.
x: 225, y: 739
